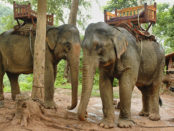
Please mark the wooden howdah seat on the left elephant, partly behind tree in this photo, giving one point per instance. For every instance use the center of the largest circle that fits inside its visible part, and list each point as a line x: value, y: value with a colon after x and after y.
x: 27, y: 15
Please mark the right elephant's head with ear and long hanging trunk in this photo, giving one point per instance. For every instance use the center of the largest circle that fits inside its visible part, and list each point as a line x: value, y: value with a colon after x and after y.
x: 102, y: 46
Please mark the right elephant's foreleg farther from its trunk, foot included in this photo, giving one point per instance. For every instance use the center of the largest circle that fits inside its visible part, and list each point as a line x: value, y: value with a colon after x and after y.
x: 126, y: 85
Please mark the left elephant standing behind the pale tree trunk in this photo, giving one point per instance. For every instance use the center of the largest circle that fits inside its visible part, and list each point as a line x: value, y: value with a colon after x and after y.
x: 16, y: 57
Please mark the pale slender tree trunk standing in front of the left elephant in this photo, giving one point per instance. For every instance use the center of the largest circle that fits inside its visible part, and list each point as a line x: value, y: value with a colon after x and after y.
x: 39, y: 52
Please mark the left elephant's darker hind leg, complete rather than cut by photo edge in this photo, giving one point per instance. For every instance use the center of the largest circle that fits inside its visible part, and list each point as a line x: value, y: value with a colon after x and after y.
x: 14, y: 84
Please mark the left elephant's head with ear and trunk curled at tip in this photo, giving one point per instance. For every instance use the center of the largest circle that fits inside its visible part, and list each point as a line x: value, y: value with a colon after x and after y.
x: 64, y: 43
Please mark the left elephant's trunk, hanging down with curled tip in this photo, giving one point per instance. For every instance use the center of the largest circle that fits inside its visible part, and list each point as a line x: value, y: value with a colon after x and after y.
x: 73, y: 61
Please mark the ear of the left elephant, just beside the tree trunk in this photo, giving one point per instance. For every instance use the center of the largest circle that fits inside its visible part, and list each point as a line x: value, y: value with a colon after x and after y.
x: 51, y: 38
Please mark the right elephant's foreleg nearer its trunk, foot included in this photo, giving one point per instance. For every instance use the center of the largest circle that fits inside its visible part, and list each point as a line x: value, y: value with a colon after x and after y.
x: 106, y: 92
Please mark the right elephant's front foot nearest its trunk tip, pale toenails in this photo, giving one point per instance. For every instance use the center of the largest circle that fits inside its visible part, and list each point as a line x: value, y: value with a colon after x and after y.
x: 107, y: 123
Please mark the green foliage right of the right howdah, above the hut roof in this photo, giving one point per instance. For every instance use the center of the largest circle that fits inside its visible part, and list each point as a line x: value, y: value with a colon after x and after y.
x: 164, y: 28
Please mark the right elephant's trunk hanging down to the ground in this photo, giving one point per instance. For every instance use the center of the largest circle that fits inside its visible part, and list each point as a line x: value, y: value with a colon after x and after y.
x: 87, y: 84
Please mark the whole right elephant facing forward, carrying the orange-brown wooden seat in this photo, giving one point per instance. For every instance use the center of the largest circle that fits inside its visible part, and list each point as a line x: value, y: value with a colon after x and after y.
x: 118, y: 54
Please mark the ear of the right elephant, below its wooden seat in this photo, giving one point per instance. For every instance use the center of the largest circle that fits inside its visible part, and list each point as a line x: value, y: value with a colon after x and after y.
x: 120, y: 43
